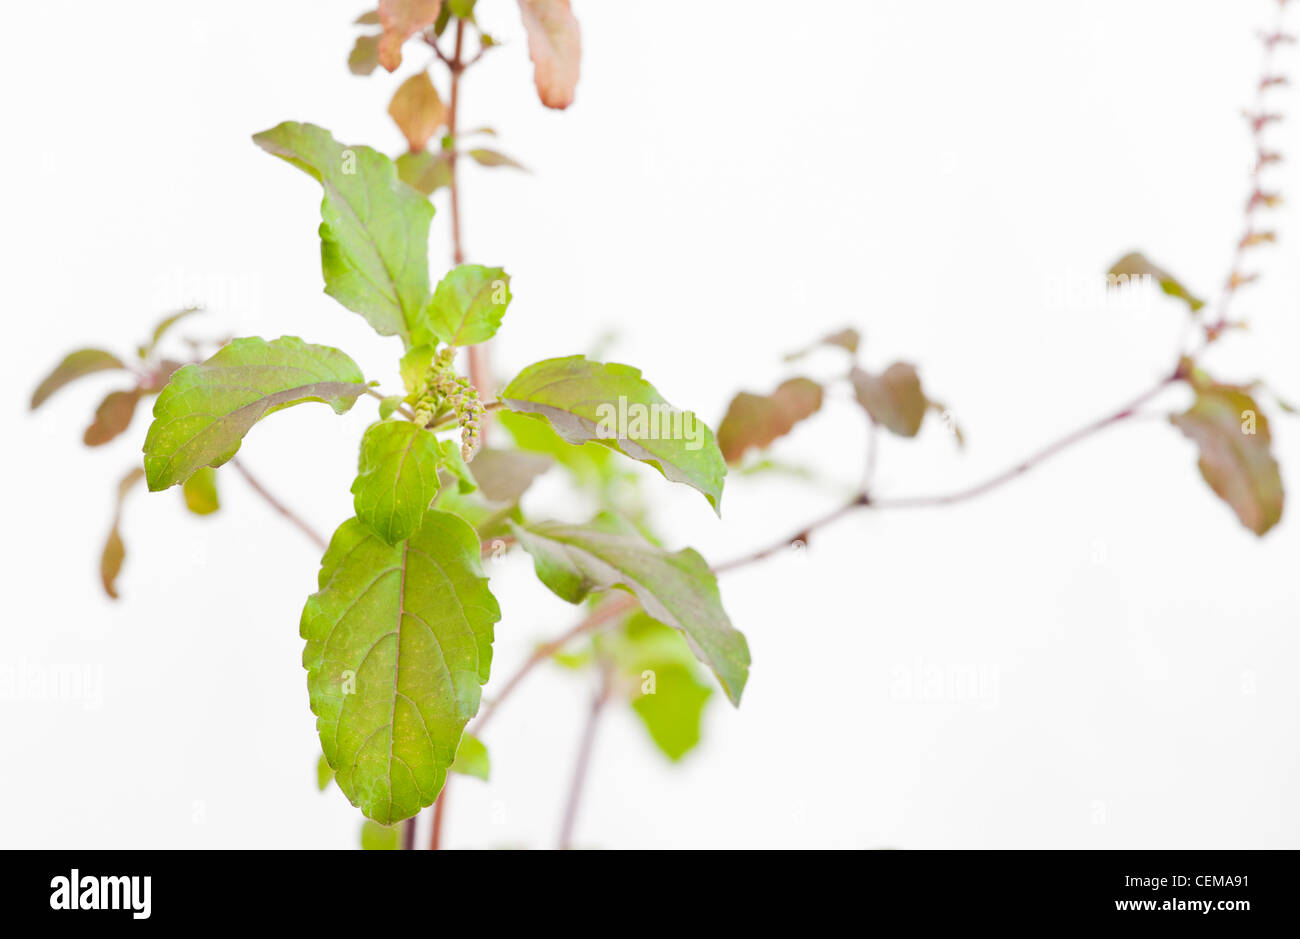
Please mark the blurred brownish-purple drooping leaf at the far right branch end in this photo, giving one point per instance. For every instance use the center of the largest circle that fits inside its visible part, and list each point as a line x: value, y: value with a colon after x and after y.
x: 1234, y: 442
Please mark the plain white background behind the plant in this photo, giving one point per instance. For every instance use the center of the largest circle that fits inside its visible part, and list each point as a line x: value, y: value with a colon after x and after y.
x: 735, y: 180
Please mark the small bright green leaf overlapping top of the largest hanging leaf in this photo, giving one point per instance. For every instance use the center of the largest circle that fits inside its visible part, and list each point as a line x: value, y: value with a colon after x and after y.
x: 397, y: 479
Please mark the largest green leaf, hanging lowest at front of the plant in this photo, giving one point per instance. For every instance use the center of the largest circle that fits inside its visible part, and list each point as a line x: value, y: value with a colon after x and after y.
x: 398, y: 646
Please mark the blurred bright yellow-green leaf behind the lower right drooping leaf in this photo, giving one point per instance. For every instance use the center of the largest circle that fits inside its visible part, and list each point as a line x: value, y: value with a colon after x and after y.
x: 664, y: 682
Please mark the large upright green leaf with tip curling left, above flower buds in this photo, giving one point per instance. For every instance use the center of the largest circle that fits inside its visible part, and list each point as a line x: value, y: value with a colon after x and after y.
x: 375, y: 230
